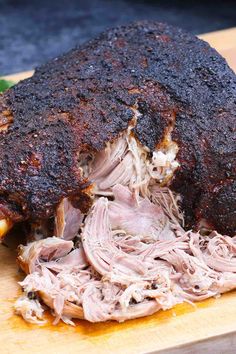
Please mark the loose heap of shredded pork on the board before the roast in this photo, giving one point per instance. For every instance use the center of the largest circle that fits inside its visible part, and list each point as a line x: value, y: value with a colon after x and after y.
x: 119, y: 274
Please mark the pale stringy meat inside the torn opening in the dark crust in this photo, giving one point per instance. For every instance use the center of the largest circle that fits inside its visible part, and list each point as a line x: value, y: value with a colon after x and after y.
x: 123, y: 161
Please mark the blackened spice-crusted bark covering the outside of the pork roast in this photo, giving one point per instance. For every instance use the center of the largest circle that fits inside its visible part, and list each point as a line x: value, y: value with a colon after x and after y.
x: 83, y: 99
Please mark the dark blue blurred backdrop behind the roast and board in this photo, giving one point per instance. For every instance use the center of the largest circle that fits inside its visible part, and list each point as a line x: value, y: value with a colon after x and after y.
x: 31, y: 31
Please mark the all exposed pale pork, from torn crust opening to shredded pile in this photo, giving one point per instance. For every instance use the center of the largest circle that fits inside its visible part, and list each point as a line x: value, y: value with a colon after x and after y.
x: 129, y: 256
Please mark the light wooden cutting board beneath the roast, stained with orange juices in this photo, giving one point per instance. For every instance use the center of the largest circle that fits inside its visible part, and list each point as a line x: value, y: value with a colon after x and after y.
x: 209, y: 327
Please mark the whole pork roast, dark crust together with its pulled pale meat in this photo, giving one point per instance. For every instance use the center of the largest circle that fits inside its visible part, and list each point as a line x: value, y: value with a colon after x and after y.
x: 123, y: 152
